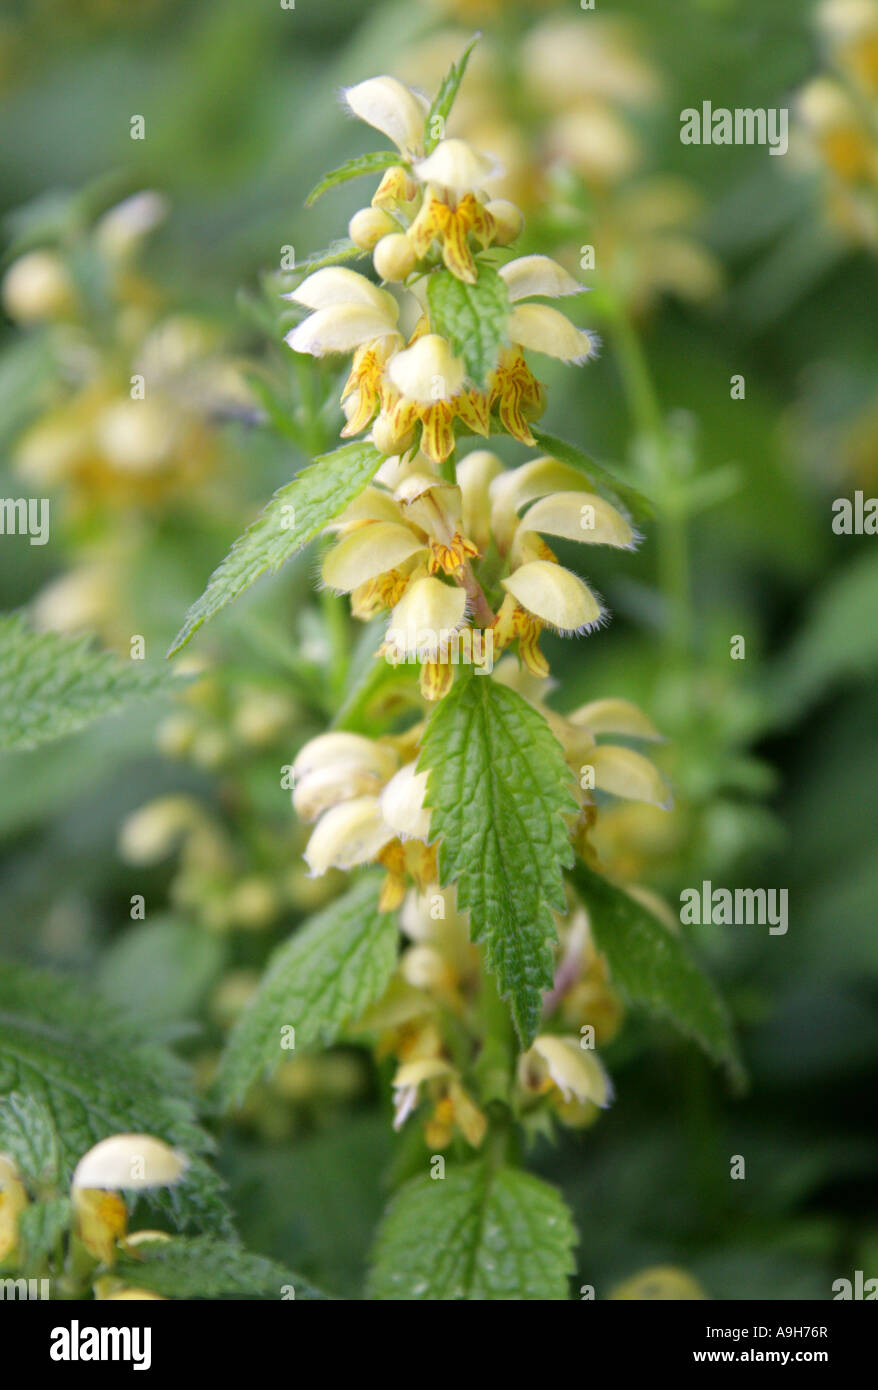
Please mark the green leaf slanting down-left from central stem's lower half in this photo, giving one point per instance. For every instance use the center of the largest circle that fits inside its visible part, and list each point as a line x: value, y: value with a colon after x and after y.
x: 317, y: 982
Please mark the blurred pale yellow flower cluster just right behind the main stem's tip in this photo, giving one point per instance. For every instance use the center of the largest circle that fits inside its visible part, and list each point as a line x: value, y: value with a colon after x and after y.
x: 587, y: 88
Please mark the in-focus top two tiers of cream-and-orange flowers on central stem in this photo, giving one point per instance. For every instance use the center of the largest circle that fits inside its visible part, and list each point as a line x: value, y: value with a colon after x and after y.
x: 406, y: 383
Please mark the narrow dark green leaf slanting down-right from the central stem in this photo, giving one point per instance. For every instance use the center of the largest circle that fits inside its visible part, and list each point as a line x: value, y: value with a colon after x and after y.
x: 654, y: 968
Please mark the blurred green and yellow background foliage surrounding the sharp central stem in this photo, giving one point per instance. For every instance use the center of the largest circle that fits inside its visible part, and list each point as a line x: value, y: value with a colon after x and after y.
x: 711, y: 263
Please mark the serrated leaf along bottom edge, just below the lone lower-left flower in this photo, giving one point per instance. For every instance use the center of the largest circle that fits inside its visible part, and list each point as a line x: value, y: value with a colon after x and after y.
x: 205, y: 1268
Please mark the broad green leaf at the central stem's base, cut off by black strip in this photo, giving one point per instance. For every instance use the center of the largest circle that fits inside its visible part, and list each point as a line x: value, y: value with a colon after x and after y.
x: 476, y: 1235
